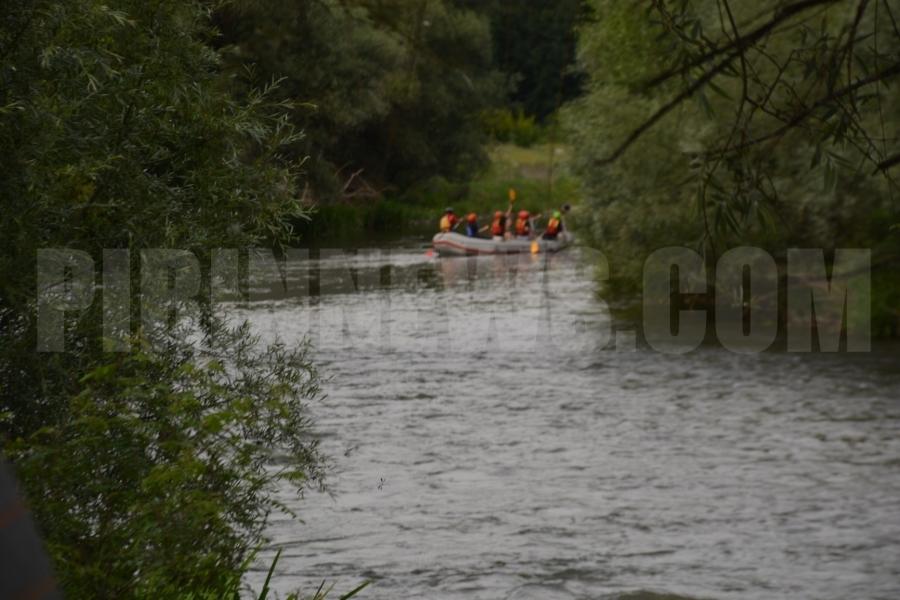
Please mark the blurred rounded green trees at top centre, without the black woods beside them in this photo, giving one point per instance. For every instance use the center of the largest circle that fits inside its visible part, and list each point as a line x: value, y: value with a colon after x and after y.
x: 385, y: 104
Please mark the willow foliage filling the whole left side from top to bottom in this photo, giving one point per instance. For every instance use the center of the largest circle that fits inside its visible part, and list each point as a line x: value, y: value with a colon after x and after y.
x: 147, y: 469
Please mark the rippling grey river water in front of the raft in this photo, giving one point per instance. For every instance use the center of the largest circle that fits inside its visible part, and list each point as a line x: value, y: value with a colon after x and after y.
x: 493, y: 440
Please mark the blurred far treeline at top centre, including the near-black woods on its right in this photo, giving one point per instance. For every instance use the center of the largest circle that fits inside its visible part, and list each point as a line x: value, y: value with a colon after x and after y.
x: 392, y: 94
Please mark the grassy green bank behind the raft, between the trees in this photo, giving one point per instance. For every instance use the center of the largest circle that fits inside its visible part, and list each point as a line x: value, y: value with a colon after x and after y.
x: 527, y: 170
